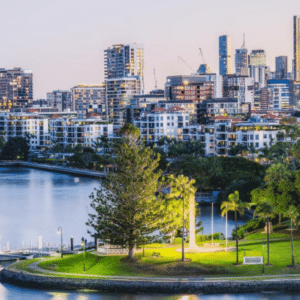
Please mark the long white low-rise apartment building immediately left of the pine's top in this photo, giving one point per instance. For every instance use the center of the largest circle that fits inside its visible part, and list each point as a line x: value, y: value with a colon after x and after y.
x: 76, y: 131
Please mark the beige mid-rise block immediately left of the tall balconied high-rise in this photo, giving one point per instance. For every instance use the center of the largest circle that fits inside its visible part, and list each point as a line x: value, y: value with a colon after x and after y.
x: 87, y: 99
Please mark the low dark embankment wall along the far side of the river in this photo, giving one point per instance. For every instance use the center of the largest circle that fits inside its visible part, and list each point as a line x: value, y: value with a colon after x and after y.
x: 54, y: 168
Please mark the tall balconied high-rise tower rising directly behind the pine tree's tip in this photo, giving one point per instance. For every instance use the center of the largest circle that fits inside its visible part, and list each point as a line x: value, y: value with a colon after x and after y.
x: 124, y: 78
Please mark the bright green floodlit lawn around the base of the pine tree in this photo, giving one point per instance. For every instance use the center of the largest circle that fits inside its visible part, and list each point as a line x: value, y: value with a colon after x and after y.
x: 200, y: 264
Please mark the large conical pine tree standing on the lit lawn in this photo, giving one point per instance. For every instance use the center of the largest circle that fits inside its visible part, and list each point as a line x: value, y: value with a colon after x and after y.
x: 126, y: 207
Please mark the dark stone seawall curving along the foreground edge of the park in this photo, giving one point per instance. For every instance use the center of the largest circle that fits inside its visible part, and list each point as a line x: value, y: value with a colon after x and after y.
x: 148, y: 285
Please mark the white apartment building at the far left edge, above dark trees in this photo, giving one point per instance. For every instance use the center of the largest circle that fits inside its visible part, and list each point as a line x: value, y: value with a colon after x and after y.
x: 33, y: 126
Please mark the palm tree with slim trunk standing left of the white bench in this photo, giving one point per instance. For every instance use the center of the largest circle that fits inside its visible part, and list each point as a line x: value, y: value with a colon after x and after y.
x: 235, y: 204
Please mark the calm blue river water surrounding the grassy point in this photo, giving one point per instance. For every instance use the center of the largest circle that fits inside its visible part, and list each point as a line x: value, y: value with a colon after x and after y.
x: 35, y: 202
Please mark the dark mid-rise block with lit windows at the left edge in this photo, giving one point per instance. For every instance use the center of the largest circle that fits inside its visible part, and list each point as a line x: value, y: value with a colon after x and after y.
x: 15, y: 88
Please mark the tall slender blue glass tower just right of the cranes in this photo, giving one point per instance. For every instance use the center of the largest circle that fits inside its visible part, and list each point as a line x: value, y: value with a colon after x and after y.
x: 225, y: 66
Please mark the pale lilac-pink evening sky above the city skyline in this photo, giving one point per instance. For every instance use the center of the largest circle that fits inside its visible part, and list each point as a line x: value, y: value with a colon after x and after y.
x: 63, y: 41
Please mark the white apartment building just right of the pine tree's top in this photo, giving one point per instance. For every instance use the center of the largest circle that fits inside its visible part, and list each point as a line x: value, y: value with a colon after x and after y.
x: 161, y: 122
